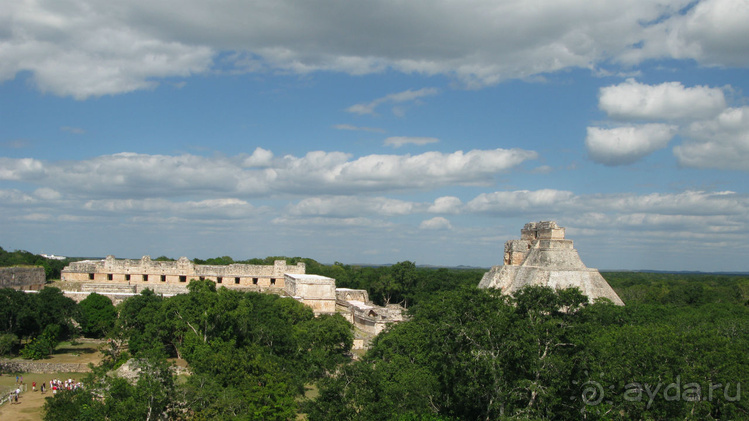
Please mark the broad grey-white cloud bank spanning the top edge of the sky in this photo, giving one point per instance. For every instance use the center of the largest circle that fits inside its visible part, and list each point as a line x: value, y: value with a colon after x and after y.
x: 88, y: 48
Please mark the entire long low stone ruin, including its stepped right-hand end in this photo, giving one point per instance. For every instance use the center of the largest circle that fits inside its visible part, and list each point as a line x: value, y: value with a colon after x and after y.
x: 119, y: 279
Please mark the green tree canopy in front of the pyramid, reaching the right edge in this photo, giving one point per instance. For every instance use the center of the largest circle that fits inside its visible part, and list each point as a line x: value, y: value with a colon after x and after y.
x: 473, y: 354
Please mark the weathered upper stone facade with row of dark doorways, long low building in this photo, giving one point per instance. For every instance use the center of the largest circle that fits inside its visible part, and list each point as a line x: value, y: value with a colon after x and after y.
x: 149, y: 272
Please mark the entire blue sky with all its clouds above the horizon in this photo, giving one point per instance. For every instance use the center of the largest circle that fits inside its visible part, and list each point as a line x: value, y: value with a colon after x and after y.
x: 376, y: 132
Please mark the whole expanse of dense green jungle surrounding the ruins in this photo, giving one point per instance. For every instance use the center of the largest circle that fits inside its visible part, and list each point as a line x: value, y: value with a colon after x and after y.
x: 677, y: 350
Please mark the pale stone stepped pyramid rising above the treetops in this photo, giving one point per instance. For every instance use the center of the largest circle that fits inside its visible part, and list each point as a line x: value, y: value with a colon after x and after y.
x: 542, y: 256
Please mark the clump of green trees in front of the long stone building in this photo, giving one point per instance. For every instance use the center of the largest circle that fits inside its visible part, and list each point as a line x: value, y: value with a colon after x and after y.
x: 249, y: 354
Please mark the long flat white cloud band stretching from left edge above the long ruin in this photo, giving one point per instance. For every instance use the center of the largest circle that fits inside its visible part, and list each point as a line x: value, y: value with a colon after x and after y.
x: 135, y: 175
